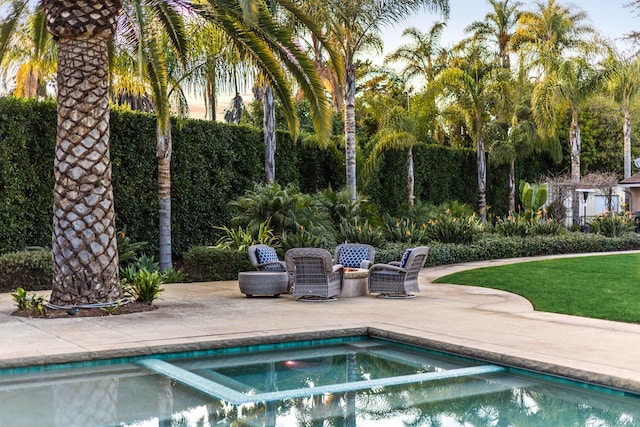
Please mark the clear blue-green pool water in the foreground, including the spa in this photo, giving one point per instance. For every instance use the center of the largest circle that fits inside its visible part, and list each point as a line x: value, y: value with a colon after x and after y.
x: 356, y: 381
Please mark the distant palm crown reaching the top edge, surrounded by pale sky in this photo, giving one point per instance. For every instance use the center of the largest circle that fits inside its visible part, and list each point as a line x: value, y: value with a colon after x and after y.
x: 498, y: 25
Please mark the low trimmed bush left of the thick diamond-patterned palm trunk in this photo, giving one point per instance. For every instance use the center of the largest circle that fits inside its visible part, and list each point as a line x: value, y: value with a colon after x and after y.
x: 30, y: 270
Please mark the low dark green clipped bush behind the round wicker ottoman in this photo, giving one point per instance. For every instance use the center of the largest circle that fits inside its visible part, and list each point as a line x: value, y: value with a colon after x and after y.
x: 206, y: 263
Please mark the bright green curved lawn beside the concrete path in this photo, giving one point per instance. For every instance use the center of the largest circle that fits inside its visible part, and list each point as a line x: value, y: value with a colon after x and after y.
x: 601, y: 287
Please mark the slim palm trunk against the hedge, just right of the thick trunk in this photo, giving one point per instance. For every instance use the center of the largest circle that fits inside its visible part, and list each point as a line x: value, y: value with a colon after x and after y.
x: 163, y: 154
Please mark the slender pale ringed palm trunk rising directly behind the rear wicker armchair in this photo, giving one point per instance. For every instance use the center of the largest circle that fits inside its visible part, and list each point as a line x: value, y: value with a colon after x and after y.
x: 350, y: 130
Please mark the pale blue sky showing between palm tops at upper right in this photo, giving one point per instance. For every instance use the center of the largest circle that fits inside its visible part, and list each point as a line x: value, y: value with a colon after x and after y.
x: 607, y: 16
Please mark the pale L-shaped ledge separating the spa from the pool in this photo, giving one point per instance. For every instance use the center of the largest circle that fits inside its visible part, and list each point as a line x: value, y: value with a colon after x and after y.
x: 218, y: 391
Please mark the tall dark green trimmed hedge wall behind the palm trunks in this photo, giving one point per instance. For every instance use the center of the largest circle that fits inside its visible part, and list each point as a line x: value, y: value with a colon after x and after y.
x: 212, y: 164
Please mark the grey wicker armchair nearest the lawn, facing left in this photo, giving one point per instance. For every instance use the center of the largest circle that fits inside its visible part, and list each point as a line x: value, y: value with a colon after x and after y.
x: 398, y: 279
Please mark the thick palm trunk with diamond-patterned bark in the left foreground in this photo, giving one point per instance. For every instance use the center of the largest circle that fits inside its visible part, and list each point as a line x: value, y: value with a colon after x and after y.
x: 84, y: 249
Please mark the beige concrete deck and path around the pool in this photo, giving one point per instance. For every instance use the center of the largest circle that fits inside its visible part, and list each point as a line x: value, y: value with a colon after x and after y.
x: 478, y: 322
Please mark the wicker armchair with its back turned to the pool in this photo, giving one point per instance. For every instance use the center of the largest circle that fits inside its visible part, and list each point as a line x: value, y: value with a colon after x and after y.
x: 313, y: 275
